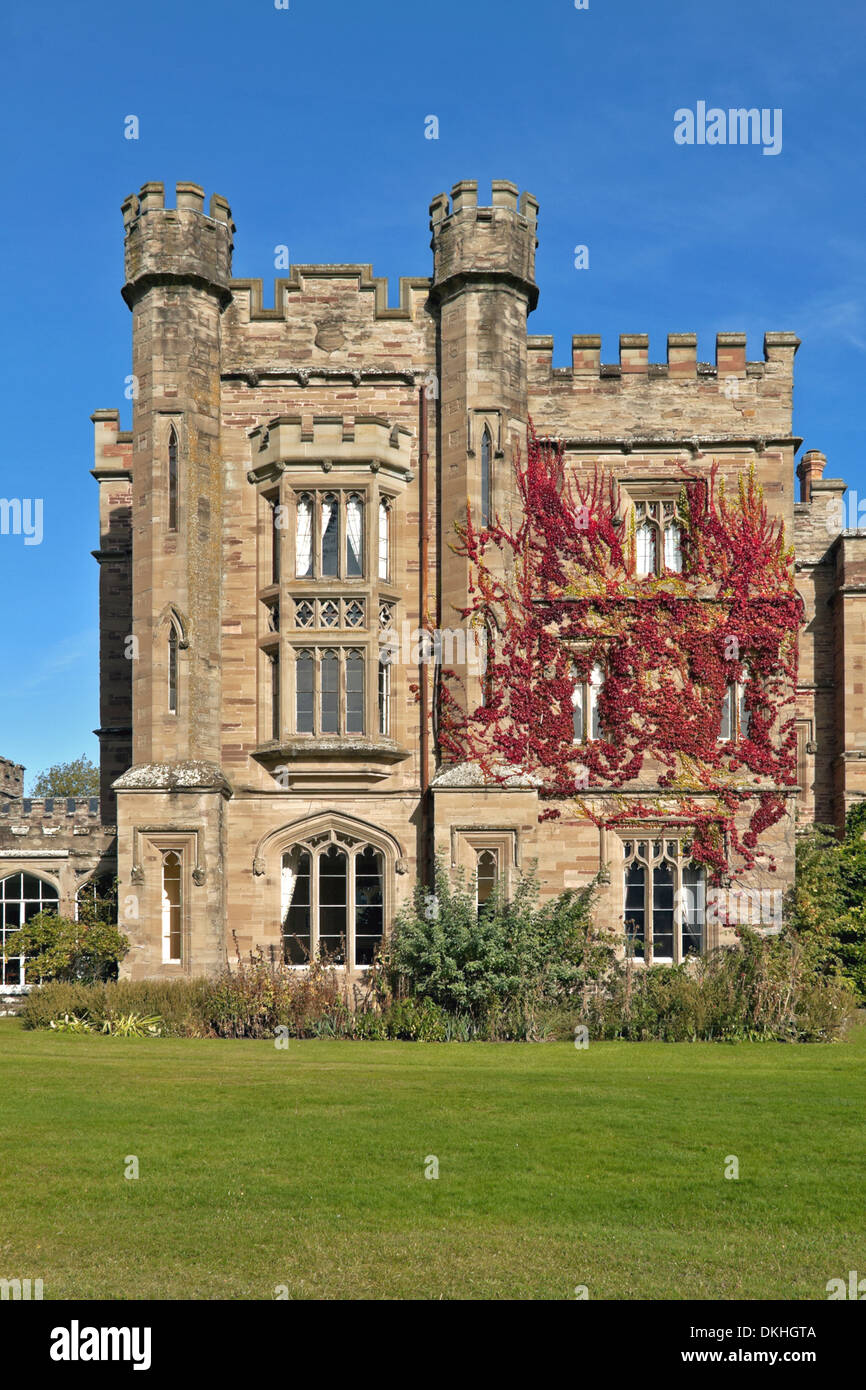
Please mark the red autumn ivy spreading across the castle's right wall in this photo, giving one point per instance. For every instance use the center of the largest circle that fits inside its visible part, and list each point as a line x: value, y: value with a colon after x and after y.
x: 559, y: 593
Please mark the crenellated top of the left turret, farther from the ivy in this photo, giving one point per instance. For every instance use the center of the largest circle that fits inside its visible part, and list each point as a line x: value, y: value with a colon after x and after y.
x: 181, y: 245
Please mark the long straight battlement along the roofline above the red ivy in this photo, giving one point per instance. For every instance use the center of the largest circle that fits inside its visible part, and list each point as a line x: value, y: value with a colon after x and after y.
x: 779, y: 350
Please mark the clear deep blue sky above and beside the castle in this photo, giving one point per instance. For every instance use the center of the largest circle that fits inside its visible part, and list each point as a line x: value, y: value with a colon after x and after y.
x: 311, y: 122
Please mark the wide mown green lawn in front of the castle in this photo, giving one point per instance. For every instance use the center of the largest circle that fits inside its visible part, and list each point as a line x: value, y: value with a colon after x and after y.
x: 307, y: 1168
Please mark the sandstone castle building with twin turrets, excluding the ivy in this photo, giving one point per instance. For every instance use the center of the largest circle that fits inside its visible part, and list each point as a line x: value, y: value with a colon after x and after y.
x: 288, y: 493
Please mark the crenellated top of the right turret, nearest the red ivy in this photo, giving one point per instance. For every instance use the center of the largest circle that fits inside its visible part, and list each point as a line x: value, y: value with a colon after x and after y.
x: 475, y: 244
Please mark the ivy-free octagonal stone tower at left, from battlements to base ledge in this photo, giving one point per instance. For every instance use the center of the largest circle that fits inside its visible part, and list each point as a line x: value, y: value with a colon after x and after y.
x: 179, y: 270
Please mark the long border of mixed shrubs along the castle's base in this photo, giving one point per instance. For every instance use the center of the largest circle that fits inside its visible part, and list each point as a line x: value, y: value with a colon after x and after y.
x: 765, y: 989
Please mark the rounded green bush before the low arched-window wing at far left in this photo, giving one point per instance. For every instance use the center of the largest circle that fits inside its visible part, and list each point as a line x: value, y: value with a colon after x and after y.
x: 59, y: 949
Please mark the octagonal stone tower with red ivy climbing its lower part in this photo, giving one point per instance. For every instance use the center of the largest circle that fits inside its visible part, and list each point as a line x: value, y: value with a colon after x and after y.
x: 483, y: 291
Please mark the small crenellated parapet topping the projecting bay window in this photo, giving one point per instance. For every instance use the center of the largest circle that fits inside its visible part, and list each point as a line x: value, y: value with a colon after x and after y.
x: 330, y: 443
